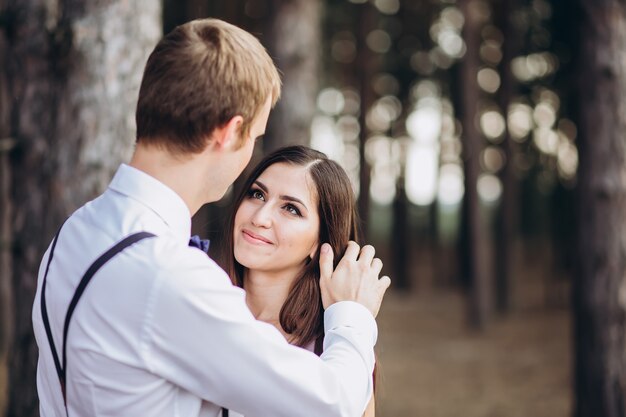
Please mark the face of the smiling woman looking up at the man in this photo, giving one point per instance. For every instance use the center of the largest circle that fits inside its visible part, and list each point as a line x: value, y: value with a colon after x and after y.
x: 277, y: 223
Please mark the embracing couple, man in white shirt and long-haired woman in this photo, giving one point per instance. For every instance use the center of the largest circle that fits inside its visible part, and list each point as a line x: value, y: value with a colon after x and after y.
x: 130, y: 320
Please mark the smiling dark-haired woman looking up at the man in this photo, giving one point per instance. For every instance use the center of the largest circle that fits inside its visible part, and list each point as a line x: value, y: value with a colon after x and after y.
x: 294, y: 200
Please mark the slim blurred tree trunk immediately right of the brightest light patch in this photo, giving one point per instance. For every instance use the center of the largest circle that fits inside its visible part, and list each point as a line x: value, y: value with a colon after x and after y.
x: 472, y: 144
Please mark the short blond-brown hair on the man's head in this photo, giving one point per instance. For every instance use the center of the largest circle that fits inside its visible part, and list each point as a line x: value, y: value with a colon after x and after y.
x: 198, y: 77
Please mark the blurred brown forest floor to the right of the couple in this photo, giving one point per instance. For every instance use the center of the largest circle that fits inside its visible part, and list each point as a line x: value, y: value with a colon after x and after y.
x: 432, y: 364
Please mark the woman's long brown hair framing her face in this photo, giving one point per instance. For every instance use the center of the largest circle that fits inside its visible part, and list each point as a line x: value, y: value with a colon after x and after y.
x: 302, y: 314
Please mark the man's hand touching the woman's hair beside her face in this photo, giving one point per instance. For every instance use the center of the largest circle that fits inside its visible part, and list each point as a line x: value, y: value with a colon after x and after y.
x: 354, y: 279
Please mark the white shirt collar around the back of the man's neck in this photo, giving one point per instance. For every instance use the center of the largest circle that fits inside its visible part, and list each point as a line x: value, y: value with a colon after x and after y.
x: 155, y: 195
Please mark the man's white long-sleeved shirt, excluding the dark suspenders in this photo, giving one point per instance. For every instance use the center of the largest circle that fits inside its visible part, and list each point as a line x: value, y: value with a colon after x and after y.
x: 160, y: 330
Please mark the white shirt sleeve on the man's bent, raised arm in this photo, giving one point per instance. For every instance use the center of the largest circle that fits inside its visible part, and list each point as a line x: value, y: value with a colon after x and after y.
x: 199, y: 334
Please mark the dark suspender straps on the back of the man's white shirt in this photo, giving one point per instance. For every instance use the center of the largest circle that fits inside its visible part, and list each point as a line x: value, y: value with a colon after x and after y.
x: 103, y: 259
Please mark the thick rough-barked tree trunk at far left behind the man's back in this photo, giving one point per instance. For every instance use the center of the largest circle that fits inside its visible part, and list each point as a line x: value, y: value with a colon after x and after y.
x: 72, y: 70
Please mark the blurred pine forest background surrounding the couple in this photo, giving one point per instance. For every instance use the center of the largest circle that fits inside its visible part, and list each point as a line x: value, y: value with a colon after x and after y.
x: 485, y: 141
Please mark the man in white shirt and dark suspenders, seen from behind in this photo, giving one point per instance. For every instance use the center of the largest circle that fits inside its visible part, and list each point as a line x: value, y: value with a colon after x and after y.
x: 159, y: 330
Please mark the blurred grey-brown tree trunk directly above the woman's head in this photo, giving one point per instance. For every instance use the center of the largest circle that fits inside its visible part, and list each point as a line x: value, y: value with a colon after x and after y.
x: 294, y: 43
